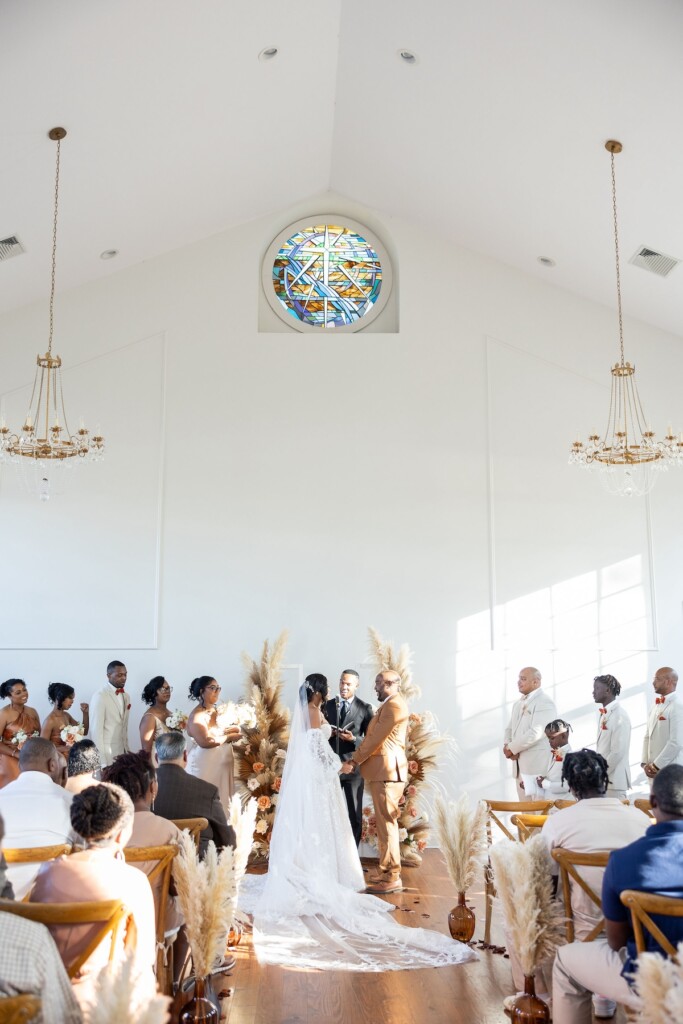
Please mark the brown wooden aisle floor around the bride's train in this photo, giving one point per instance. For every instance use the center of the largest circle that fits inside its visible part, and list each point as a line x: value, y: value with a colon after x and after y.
x: 469, y: 994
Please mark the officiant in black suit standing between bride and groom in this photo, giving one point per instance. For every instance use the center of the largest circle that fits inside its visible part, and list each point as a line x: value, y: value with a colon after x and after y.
x: 350, y: 716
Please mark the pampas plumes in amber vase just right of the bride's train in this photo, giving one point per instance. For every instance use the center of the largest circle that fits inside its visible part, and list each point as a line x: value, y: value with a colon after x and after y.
x: 462, y: 837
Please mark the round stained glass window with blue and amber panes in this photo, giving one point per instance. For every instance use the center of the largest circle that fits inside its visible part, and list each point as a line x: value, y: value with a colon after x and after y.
x: 327, y: 276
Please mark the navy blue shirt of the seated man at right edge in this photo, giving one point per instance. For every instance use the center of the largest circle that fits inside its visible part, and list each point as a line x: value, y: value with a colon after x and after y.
x: 654, y: 864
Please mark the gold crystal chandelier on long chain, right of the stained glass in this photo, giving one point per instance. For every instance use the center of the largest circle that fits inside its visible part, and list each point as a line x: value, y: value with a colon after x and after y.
x: 628, y: 456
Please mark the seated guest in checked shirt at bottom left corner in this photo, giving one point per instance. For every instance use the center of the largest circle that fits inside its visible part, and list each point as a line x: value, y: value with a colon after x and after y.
x: 30, y: 964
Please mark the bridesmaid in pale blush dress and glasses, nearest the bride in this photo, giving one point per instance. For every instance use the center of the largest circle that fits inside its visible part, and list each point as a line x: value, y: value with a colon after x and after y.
x: 211, y: 756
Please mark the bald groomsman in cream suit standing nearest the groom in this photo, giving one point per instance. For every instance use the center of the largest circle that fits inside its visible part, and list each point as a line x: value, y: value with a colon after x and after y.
x: 526, y: 742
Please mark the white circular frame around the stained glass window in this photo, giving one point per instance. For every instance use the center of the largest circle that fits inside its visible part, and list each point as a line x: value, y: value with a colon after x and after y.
x: 302, y: 226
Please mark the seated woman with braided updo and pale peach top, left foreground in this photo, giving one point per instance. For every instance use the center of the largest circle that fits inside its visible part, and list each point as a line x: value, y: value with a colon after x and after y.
x: 103, y: 818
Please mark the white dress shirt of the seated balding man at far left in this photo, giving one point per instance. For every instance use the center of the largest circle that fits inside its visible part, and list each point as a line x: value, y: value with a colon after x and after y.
x: 36, y: 813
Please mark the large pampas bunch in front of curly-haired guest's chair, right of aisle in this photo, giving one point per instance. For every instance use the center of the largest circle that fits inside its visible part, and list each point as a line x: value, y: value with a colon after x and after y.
x: 525, y: 885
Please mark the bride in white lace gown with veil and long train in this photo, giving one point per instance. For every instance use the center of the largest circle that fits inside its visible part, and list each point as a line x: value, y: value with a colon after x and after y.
x: 311, y: 911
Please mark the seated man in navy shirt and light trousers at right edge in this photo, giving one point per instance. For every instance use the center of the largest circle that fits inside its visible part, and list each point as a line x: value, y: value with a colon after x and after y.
x: 653, y: 864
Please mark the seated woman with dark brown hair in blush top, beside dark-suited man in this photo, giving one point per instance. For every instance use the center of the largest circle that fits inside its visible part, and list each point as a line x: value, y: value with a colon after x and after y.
x: 136, y: 775
